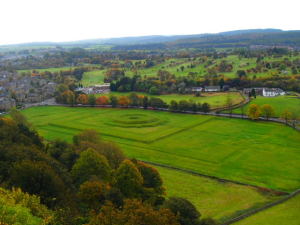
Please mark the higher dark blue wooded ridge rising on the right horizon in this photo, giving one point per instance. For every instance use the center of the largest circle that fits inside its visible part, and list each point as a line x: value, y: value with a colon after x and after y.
x: 241, y: 38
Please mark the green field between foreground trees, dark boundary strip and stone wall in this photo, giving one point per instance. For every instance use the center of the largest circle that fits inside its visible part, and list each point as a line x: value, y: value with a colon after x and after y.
x: 212, y: 198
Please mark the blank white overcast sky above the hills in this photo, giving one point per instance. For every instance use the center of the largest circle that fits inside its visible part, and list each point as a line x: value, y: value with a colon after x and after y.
x: 23, y: 21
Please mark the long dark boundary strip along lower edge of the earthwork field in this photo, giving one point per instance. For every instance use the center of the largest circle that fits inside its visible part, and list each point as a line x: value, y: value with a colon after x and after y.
x: 214, y: 177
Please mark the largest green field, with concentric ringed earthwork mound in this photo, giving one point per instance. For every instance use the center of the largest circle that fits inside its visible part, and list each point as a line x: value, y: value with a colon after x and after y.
x: 260, y: 153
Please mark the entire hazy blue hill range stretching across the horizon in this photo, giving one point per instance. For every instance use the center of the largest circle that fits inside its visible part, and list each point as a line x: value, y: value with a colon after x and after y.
x: 237, y: 38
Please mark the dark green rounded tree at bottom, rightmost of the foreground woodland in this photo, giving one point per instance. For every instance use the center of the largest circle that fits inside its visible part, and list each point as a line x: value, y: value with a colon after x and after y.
x: 187, y: 212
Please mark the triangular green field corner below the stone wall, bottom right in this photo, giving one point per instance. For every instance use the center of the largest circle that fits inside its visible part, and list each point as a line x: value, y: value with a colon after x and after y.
x: 285, y: 213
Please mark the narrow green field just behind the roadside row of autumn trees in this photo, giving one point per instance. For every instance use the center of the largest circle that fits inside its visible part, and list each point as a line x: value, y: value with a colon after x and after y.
x: 215, y: 100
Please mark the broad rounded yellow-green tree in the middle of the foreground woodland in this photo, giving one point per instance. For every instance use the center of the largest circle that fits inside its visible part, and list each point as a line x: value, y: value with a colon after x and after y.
x: 90, y: 165
